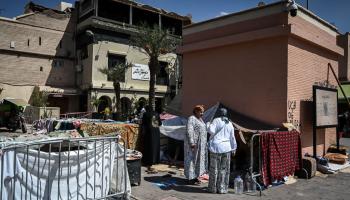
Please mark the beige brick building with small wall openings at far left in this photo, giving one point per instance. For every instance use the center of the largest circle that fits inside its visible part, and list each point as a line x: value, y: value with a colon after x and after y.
x: 37, y: 49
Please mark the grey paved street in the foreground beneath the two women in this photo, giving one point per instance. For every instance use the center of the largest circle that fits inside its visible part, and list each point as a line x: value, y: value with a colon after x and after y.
x: 334, y: 186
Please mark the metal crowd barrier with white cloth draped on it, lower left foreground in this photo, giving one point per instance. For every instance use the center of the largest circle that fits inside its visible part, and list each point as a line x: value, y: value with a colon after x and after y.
x: 79, y: 168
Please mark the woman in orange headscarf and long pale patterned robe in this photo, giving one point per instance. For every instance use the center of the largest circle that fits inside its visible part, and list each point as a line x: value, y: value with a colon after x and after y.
x: 195, y: 146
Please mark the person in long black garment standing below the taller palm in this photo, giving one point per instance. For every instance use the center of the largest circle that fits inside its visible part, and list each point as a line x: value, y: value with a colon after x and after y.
x: 151, y: 138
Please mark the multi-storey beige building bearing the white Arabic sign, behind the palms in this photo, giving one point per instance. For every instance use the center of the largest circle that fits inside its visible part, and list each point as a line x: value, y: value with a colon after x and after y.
x: 103, y: 39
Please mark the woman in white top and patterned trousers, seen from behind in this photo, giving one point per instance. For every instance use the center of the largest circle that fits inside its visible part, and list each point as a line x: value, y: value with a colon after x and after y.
x: 222, y: 143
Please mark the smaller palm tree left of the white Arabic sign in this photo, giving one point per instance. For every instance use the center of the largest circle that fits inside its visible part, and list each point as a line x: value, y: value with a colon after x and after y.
x: 116, y: 74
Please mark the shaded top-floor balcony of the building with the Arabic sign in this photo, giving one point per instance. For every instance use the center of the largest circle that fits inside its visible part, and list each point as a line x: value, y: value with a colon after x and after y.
x: 103, y: 15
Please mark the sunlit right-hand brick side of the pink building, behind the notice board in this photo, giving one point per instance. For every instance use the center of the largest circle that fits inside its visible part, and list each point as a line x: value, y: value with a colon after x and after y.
x: 308, y: 63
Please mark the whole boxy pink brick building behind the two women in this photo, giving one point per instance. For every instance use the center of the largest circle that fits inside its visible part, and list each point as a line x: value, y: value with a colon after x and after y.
x: 263, y: 63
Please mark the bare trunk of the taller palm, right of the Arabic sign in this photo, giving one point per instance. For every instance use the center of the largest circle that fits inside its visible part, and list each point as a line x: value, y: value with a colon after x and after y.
x: 153, y: 65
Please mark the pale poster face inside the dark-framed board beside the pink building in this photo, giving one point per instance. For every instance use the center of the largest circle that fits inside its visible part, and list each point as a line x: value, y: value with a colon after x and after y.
x: 326, y: 107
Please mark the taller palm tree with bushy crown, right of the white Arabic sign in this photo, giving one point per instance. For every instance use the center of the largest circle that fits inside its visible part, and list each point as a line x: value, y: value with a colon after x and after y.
x: 154, y: 42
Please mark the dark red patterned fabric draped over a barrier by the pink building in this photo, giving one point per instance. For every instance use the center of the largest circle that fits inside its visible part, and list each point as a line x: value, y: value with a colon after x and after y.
x: 281, y: 155
